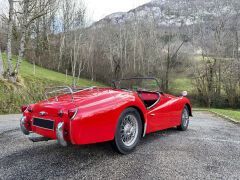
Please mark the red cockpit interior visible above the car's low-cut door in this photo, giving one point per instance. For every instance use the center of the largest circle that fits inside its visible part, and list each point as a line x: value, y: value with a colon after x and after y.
x: 149, y: 98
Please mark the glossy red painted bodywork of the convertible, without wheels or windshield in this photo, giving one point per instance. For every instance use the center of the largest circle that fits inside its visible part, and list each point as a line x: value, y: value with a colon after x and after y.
x: 93, y: 115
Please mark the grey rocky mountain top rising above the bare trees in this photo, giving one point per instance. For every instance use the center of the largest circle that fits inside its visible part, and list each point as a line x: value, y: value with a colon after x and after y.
x: 172, y: 12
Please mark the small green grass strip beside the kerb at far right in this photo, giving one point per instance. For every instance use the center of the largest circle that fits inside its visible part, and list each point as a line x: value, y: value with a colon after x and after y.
x: 233, y: 114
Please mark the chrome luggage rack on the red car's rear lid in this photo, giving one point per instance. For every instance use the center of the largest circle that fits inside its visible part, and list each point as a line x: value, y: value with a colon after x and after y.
x: 66, y: 89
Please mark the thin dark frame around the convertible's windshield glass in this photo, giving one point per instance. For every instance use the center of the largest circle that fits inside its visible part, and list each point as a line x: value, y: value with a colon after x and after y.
x: 136, y: 78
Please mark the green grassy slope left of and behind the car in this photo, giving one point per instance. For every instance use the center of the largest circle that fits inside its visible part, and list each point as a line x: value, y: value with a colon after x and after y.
x: 31, y: 85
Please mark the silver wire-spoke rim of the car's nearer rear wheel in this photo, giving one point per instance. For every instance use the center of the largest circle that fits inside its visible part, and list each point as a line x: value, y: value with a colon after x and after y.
x: 129, y: 130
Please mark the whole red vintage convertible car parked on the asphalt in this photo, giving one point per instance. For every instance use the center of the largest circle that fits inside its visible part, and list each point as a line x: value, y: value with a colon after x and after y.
x: 122, y: 114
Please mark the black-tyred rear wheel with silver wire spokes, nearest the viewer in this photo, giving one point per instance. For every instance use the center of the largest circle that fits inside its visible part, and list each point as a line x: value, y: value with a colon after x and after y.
x: 128, y: 131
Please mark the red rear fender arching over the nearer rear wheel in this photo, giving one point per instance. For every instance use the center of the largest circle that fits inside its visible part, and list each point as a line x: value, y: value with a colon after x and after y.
x: 99, y: 123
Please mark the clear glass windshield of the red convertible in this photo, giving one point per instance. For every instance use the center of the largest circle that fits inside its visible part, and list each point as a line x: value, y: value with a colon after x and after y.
x: 138, y: 84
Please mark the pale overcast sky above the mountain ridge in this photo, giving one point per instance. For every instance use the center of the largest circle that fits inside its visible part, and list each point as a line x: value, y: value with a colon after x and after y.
x: 97, y: 9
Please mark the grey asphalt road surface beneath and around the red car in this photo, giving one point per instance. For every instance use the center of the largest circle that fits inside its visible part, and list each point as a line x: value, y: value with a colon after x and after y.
x: 210, y: 149
